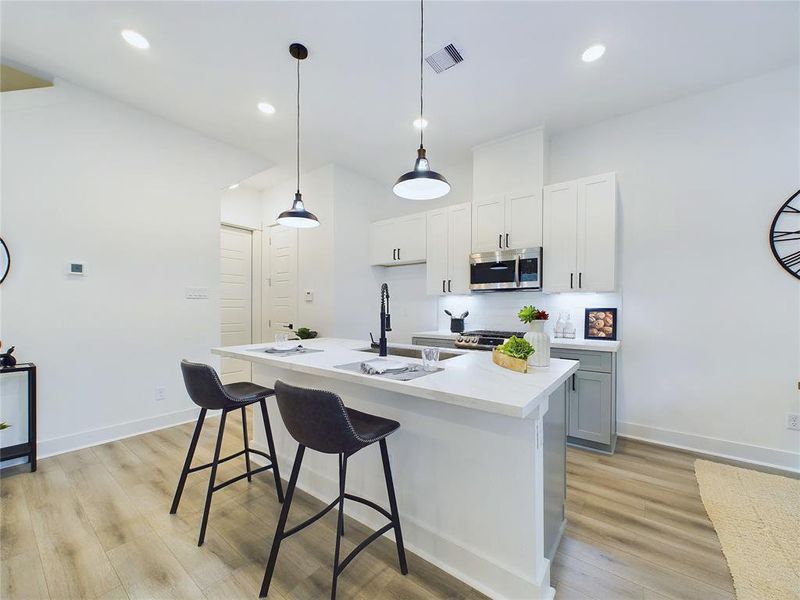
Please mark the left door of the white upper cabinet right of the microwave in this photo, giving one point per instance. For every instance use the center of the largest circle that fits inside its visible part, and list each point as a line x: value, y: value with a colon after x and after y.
x: 559, y: 239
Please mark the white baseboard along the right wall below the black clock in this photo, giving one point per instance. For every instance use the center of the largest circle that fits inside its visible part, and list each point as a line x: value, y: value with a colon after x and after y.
x: 757, y: 455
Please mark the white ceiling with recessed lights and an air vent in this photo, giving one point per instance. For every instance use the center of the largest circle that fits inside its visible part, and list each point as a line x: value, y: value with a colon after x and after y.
x: 211, y: 62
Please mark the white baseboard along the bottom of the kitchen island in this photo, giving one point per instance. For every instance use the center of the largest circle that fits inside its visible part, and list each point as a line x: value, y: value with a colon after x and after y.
x: 449, y: 552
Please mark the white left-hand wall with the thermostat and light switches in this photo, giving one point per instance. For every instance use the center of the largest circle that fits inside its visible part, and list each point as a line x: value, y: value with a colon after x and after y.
x: 138, y: 198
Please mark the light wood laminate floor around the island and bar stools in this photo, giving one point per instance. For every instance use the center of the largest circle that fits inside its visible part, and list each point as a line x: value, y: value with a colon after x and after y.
x: 94, y: 524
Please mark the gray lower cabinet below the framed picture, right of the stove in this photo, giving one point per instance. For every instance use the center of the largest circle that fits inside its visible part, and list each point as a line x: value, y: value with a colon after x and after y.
x: 592, y: 399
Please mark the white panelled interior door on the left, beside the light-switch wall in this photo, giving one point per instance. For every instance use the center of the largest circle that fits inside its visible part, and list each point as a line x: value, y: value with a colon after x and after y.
x: 236, y: 293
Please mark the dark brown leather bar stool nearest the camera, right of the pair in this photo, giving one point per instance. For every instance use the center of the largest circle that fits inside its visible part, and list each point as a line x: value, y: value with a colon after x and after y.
x: 319, y: 420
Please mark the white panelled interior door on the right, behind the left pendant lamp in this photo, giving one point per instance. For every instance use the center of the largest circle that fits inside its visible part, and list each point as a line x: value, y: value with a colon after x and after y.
x: 280, y: 298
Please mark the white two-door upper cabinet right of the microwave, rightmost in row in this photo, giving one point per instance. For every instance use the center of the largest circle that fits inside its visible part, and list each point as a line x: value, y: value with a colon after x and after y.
x: 579, y: 235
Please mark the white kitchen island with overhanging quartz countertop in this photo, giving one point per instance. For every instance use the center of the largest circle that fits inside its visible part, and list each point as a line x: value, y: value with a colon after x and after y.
x: 478, y: 461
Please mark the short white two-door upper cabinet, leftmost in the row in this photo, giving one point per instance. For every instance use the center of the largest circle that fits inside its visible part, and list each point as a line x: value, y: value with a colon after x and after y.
x: 398, y: 241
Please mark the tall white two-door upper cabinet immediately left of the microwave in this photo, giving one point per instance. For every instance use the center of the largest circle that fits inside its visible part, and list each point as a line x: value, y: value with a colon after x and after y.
x: 448, y: 250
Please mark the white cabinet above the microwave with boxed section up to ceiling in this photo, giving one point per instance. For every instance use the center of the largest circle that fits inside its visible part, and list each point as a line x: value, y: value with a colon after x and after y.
x: 508, y: 175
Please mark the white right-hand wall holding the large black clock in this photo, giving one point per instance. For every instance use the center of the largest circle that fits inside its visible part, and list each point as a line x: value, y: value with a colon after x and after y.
x: 711, y: 323
